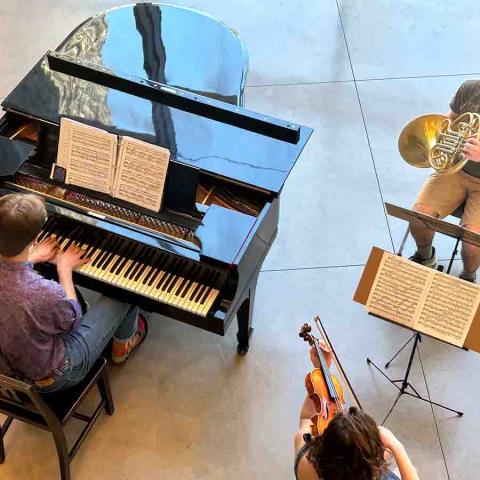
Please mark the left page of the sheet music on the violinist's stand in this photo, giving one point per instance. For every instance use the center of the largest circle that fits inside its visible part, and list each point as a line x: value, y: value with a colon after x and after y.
x: 398, y: 290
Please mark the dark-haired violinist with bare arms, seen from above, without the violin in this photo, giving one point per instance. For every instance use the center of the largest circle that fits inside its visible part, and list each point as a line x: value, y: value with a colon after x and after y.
x: 352, y: 446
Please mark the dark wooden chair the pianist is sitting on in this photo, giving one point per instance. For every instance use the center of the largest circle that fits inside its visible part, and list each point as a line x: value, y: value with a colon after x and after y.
x: 51, y: 411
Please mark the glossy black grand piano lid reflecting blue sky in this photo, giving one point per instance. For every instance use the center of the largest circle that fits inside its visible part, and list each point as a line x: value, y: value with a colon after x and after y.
x: 208, y: 58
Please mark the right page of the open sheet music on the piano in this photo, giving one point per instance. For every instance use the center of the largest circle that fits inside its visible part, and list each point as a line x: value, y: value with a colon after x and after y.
x: 141, y: 173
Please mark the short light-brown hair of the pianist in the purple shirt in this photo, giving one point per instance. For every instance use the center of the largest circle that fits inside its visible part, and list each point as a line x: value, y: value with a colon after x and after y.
x: 21, y: 219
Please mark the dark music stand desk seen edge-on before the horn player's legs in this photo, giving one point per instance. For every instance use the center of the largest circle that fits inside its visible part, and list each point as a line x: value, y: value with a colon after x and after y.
x: 435, y: 224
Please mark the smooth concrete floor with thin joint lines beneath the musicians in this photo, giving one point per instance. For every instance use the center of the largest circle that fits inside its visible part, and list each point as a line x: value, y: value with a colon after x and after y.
x: 187, y: 406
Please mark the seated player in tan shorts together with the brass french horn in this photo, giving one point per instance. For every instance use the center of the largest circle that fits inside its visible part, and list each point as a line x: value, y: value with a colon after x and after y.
x: 450, y: 144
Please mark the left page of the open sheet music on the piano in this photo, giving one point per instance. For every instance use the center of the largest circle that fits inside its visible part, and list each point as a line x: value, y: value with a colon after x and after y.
x: 88, y: 154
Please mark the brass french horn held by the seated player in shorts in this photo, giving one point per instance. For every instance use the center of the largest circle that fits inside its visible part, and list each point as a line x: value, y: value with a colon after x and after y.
x: 436, y: 141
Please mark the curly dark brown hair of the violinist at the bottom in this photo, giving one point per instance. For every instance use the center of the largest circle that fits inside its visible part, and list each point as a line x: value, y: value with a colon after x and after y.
x: 349, y: 449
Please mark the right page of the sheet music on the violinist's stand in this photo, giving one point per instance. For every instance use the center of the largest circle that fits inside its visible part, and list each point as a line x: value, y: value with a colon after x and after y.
x: 449, y: 308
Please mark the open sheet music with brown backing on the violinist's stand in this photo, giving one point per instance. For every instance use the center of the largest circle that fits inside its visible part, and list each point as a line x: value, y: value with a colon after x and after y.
x: 421, y: 299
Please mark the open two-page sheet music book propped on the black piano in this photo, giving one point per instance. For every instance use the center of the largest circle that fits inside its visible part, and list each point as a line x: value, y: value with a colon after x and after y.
x: 123, y: 167
